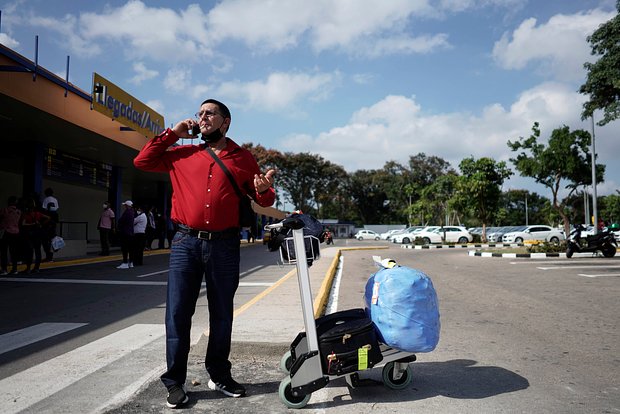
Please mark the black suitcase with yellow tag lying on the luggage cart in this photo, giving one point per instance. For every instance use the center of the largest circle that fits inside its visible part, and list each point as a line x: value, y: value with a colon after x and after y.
x: 347, y: 342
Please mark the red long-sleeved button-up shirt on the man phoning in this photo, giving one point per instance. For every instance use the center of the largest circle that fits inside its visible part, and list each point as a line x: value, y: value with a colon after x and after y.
x: 202, y: 196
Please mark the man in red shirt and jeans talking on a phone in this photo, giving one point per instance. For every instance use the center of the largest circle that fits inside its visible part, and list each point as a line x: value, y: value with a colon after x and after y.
x: 205, y: 208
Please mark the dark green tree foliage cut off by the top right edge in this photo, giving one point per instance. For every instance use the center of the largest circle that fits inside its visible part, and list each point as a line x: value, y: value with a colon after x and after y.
x: 603, y: 78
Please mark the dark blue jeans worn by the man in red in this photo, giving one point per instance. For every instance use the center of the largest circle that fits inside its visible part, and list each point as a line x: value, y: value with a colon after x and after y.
x: 191, y: 260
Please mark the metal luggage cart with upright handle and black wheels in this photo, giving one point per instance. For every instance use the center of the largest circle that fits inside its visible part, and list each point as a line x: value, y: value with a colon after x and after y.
x: 302, y: 363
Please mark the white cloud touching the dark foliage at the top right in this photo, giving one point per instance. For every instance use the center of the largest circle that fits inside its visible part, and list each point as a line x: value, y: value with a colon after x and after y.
x: 558, y: 47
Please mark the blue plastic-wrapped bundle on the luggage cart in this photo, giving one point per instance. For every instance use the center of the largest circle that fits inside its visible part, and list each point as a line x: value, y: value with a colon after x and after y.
x: 402, y: 303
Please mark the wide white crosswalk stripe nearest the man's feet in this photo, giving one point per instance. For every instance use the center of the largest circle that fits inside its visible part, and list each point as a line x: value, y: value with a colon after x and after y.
x: 32, y: 385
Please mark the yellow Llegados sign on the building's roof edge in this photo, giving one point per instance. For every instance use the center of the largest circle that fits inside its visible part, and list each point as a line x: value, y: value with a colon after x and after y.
x: 114, y: 102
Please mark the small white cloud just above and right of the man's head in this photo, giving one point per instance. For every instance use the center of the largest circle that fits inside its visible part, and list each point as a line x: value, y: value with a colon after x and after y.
x: 280, y: 91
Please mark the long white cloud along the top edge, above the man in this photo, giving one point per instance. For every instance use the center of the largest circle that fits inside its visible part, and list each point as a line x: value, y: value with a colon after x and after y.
x: 352, y: 27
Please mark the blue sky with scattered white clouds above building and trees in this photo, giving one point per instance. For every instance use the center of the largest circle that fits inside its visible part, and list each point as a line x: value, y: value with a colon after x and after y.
x: 358, y: 82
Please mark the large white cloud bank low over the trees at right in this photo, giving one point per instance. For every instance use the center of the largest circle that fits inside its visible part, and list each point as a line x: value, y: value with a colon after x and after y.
x: 397, y: 127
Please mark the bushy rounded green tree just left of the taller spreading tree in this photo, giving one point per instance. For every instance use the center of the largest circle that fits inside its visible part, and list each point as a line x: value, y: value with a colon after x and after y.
x: 479, y: 188
